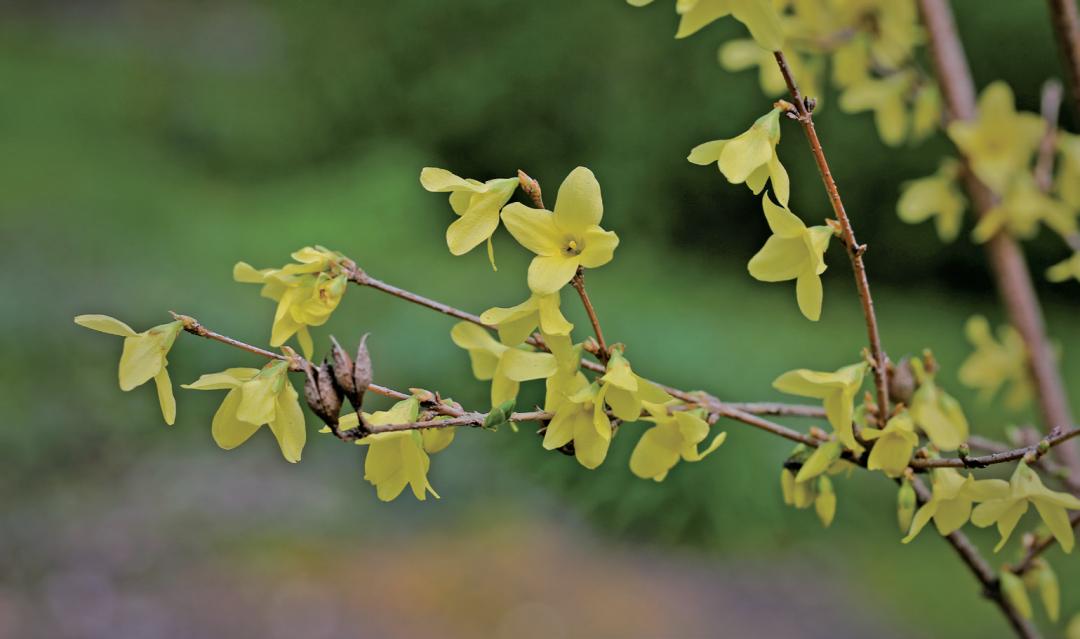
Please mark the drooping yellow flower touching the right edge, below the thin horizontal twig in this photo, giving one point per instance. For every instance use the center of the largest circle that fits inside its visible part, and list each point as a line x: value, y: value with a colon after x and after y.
x: 1027, y: 488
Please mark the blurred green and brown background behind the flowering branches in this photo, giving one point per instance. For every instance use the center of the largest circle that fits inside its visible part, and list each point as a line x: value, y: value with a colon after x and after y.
x: 147, y: 146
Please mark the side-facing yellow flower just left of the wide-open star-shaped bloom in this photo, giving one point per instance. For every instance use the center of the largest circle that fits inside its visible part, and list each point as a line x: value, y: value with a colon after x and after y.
x: 477, y: 205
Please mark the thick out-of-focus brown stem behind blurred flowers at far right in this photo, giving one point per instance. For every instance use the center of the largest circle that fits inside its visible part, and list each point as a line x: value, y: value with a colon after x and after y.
x: 1006, y: 256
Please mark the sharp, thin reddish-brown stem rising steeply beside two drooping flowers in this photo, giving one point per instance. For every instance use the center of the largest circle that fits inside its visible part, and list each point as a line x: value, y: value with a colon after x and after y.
x: 855, y: 250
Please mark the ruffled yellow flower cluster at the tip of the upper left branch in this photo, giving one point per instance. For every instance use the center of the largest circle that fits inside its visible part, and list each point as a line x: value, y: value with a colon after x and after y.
x: 307, y: 293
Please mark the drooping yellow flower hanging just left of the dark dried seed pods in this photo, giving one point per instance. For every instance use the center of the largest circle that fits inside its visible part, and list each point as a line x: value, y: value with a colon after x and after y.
x: 256, y: 398
